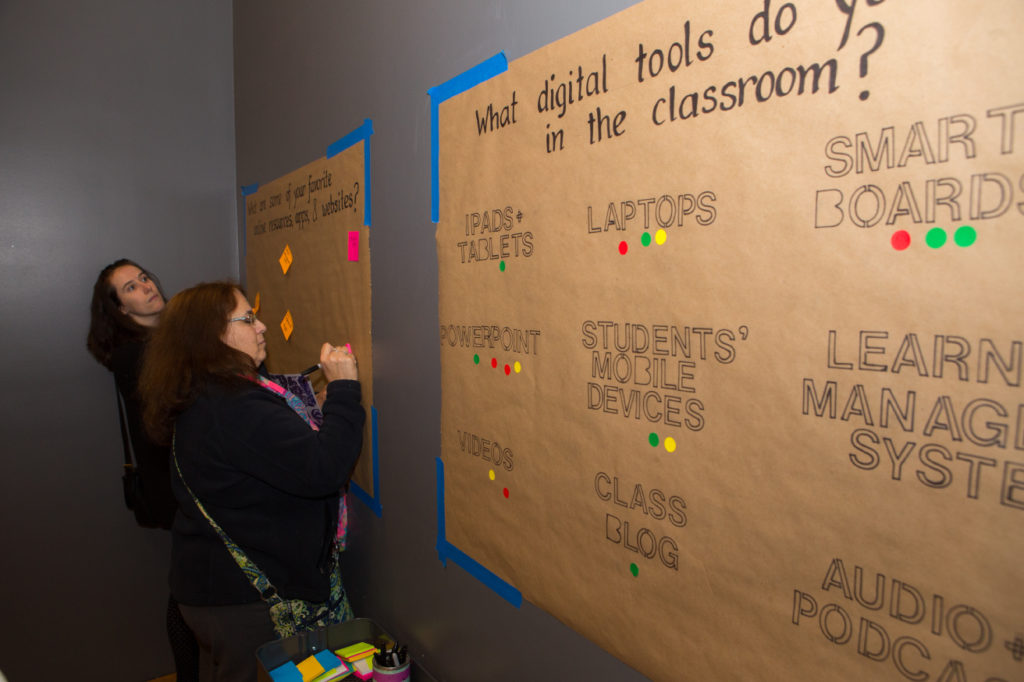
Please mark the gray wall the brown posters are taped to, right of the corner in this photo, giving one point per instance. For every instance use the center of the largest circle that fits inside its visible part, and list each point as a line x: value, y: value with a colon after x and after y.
x: 307, y: 73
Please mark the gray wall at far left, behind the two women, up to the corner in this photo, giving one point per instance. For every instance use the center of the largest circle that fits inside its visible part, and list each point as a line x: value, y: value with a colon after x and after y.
x: 116, y: 140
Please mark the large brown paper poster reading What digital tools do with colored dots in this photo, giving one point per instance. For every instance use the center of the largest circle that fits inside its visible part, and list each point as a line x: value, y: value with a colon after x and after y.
x: 732, y: 337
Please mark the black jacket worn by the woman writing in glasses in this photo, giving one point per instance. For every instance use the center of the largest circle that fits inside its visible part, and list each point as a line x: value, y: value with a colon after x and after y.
x: 273, y: 485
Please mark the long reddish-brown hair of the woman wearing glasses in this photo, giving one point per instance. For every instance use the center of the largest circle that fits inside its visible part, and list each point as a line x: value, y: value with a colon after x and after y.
x: 186, y: 355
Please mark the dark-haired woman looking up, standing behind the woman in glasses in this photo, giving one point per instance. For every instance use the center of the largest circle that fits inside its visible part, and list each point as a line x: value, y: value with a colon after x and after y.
x: 126, y: 305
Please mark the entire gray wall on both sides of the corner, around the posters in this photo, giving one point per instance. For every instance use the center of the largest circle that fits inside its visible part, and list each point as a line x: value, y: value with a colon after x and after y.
x: 119, y: 137
